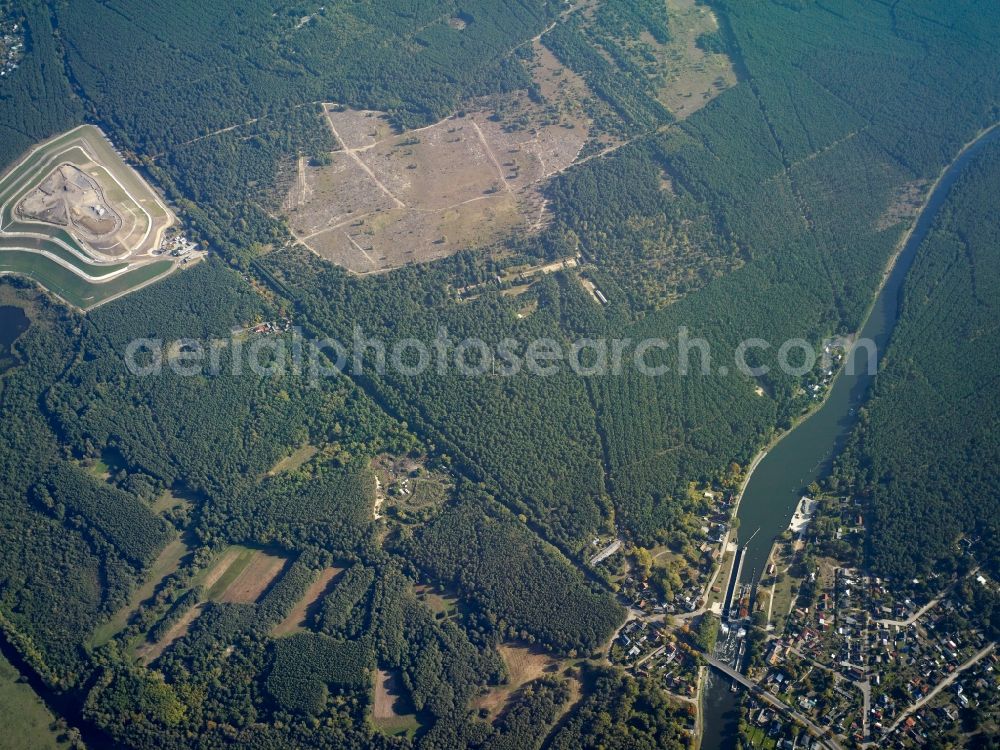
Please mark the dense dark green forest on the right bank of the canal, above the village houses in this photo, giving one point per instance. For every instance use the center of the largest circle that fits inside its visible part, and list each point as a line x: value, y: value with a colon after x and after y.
x: 925, y: 454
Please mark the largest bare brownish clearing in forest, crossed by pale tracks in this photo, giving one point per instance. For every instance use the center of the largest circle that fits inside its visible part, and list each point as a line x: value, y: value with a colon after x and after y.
x: 388, y: 199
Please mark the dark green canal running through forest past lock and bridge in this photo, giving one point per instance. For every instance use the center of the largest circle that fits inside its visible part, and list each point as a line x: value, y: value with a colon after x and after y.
x: 806, y: 453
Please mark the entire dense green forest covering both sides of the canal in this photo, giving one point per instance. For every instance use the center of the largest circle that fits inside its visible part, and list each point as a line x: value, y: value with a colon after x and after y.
x: 781, y: 202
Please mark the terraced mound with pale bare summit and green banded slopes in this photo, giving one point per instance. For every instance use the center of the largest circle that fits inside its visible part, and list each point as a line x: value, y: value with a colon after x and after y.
x: 80, y: 222
